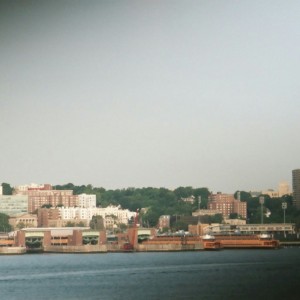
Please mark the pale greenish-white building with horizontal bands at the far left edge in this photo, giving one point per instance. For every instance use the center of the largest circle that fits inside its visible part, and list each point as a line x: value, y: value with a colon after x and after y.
x: 12, y: 205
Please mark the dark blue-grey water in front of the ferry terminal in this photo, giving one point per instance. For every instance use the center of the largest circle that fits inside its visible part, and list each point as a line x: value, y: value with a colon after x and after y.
x: 226, y: 274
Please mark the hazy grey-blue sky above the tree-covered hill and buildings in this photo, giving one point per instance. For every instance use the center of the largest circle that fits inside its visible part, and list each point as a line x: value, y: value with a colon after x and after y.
x: 122, y: 94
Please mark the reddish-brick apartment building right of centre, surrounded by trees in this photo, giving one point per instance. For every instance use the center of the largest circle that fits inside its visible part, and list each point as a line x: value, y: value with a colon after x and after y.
x: 226, y: 204
